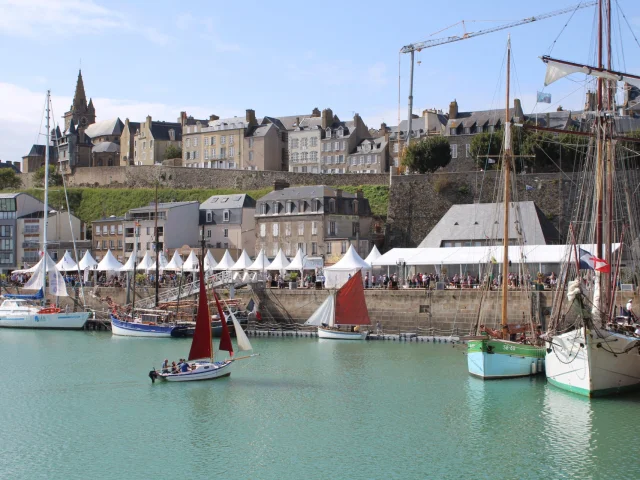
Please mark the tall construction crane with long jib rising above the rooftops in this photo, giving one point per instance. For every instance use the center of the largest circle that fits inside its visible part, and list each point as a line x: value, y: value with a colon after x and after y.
x: 417, y: 47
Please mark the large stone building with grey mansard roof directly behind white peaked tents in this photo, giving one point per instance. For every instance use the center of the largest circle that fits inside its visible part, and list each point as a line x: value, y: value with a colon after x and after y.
x: 320, y: 220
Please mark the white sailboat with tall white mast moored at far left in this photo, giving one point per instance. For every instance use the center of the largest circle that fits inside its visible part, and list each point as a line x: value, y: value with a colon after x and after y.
x: 23, y: 311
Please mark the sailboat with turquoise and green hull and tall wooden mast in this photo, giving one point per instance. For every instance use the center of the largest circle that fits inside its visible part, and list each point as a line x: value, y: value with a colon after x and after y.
x: 496, y: 356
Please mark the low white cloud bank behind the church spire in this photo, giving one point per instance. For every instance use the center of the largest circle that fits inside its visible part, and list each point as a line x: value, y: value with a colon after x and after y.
x: 22, y: 115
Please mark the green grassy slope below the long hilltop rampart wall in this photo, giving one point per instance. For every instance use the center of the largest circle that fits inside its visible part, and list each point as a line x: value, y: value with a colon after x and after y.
x: 94, y: 203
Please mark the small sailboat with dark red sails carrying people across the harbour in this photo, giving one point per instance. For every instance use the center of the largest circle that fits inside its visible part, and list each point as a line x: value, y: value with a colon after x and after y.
x: 201, y: 364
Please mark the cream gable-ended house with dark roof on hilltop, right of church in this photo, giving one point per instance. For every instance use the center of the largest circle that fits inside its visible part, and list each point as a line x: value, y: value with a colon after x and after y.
x: 152, y: 139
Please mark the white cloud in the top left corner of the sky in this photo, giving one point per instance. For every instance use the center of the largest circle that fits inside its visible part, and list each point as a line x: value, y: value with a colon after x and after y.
x: 61, y: 18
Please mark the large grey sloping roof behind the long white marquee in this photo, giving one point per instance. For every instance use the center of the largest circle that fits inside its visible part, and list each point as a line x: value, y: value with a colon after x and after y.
x: 484, y: 222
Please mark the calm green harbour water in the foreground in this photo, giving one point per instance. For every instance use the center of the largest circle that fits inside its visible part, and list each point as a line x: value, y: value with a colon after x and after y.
x: 77, y: 405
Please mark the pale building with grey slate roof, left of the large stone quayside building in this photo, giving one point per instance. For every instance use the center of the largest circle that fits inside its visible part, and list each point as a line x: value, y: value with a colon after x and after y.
x: 229, y: 222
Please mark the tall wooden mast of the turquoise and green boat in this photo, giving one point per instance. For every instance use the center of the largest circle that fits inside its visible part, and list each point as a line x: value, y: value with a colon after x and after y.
x: 506, y: 167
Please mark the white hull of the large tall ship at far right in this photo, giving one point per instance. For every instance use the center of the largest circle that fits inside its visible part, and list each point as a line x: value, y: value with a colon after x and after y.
x: 591, y: 369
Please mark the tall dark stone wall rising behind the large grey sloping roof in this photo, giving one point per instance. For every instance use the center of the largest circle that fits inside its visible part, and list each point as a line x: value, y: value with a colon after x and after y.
x: 418, y: 202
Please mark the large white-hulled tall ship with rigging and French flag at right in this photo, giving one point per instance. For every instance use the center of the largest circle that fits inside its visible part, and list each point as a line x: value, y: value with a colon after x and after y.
x: 588, y: 351
